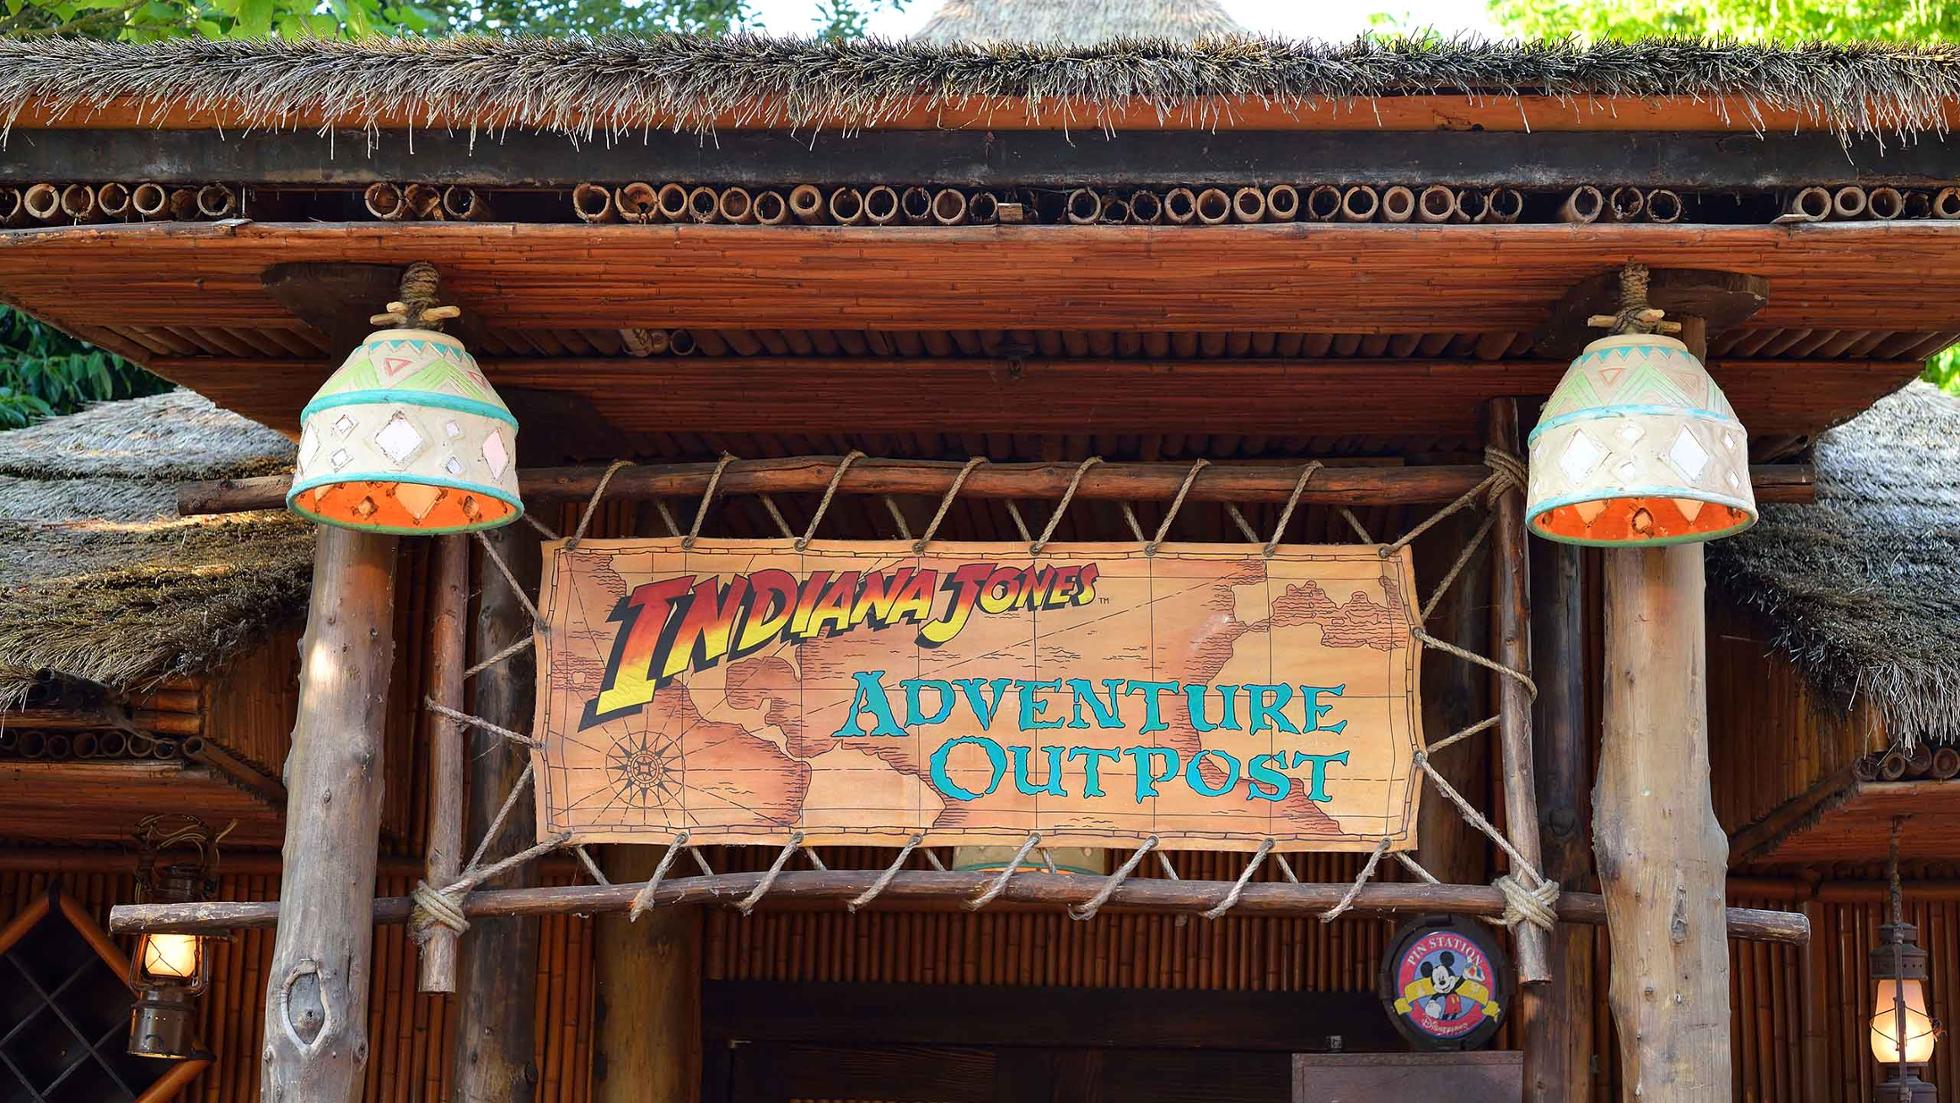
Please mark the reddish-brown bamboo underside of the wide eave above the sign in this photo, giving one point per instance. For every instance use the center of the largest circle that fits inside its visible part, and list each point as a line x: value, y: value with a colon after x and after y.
x: 1034, y: 330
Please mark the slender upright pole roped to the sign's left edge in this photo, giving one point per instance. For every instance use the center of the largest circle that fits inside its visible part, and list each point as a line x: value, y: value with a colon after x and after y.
x: 450, y: 655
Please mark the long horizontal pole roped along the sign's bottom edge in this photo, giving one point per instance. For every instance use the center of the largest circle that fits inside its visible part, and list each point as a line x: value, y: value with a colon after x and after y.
x: 916, y: 887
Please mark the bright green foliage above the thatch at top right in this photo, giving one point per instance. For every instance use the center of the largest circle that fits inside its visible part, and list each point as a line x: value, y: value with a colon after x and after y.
x: 1747, y: 21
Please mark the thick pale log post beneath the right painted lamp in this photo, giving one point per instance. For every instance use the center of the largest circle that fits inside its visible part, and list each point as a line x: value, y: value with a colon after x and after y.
x: 1663, y: 857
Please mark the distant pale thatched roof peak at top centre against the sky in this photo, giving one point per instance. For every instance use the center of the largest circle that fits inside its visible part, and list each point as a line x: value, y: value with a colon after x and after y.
x: 1085, y: 23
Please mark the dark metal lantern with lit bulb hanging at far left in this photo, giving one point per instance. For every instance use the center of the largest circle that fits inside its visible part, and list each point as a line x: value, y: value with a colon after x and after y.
x: 177, y: 863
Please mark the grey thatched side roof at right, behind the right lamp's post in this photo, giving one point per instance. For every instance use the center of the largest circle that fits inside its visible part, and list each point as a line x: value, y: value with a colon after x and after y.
x: 1865, y: 585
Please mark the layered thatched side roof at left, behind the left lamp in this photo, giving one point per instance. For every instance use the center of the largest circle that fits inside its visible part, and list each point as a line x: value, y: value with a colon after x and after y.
x: 101, y: 581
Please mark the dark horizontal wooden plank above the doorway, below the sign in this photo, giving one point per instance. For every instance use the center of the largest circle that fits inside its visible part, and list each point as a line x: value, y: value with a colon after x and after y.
x: 1020, y: 1016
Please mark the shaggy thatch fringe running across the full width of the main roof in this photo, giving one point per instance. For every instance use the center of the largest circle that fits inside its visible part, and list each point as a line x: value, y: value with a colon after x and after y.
x: 624, y: 85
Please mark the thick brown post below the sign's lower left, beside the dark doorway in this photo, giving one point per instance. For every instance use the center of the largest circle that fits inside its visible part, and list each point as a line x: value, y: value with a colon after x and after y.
x: 648, y: 1002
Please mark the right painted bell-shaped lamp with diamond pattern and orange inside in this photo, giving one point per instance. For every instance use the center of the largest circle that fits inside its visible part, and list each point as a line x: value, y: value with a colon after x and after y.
x: 1640, y: 448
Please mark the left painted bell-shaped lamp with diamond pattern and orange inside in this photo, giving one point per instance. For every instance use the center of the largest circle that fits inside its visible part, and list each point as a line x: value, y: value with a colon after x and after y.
x: 409, y: 438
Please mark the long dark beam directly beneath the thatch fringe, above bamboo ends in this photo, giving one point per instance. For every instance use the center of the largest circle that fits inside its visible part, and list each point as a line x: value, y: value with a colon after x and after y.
x: 983, y: 158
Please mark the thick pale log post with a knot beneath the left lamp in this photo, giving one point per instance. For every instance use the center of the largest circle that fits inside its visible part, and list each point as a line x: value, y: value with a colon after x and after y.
x: 318, y: 986
